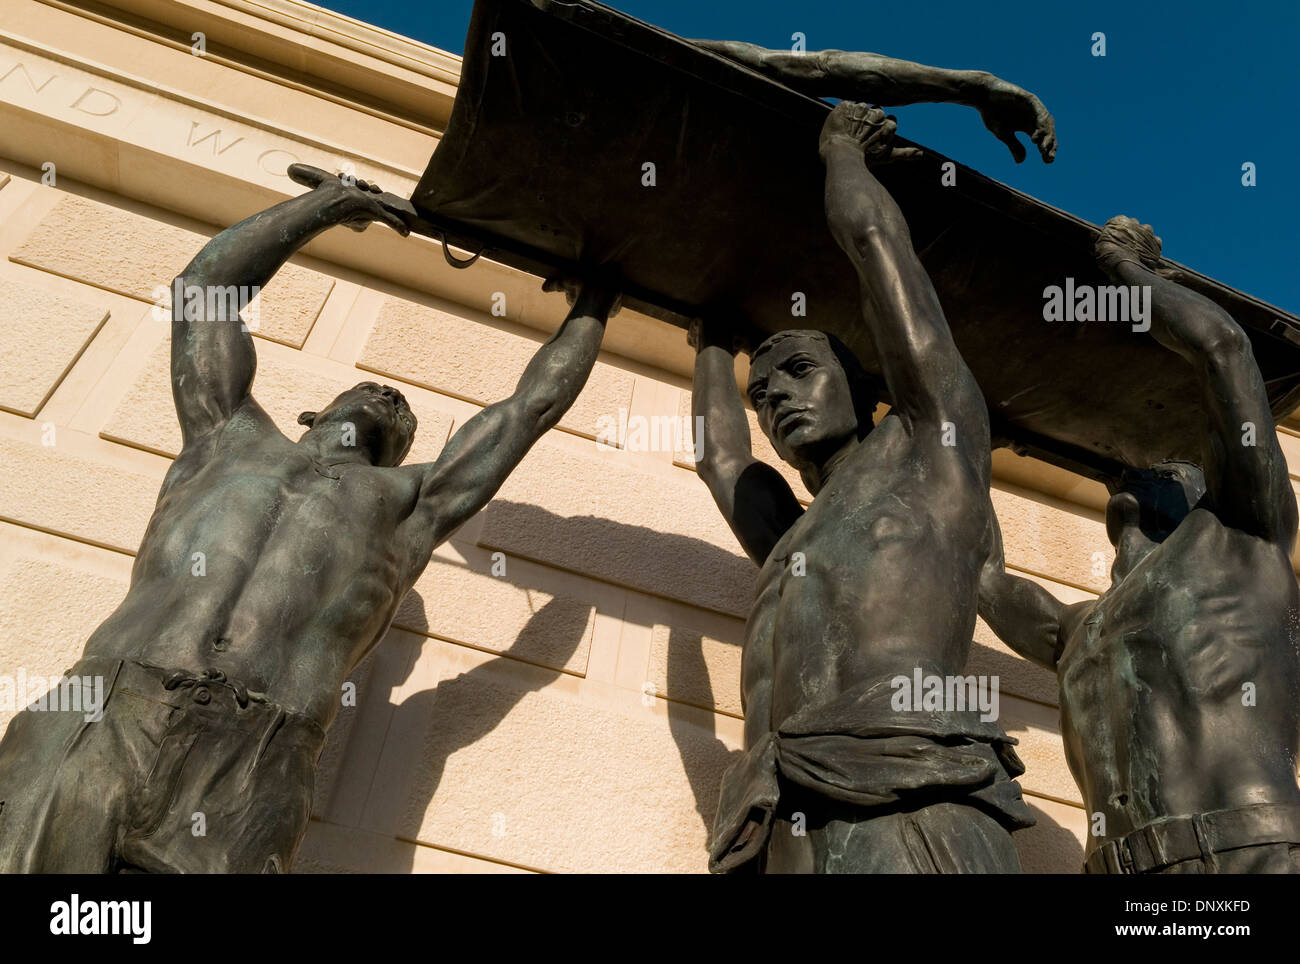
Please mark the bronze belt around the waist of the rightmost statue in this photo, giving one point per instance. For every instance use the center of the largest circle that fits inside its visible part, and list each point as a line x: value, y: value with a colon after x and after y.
x: 1173, y: 840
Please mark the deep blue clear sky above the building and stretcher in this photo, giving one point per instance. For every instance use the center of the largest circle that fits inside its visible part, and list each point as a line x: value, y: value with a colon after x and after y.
x: 1158, y: 129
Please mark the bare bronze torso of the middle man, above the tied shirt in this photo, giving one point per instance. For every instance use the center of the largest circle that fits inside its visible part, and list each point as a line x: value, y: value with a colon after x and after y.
x: 890, y: 555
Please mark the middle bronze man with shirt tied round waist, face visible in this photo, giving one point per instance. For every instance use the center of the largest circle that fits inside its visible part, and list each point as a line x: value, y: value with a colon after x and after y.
x: 877, y: 581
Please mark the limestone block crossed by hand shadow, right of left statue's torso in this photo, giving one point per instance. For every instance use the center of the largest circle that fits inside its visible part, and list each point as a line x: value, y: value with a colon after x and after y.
x: 487, y: 613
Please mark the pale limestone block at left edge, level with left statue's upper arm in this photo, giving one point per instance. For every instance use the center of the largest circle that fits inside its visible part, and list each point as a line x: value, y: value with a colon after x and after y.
x: 44, y: 335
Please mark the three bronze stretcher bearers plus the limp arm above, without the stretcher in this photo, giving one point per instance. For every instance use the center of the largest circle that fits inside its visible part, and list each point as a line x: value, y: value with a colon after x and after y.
x: 1180, y: 687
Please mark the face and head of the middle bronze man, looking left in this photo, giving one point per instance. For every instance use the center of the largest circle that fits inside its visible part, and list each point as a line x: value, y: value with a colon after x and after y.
x: 803, y: 398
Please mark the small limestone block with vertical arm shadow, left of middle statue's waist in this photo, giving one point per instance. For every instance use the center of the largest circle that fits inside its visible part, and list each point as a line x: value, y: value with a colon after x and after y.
x: 692, y: 667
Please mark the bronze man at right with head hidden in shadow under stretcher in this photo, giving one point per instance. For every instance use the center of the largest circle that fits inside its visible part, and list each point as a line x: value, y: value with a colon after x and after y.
x: 1181, y: 684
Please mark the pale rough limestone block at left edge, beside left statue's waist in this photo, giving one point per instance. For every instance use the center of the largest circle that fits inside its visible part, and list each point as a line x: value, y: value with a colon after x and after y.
x: 47, y: 613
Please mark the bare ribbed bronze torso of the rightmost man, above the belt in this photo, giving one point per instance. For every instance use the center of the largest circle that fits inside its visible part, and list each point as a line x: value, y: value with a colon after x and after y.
x: 1154, y: 698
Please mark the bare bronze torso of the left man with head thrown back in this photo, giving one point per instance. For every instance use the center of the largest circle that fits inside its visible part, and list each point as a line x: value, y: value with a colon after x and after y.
x: 300, y: 577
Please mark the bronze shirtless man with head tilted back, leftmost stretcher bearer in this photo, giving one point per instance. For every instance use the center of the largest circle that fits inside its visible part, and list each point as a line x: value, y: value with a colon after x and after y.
x: 222, y: 680
